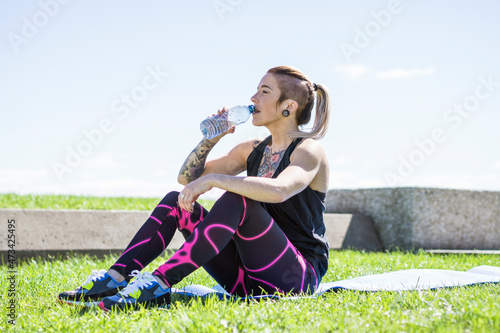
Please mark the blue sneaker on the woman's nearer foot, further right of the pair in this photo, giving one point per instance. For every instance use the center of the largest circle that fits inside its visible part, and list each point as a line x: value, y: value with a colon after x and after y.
x: 144, y: 290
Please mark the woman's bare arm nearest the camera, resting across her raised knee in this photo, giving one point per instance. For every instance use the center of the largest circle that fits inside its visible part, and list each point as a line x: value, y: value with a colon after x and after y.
x: 307, y: 166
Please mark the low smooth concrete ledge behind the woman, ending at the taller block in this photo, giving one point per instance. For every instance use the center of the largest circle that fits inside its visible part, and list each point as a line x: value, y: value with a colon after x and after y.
x: 52, y: 232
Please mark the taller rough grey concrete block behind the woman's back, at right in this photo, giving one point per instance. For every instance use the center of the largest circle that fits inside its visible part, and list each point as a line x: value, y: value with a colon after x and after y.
x: 426, y: 218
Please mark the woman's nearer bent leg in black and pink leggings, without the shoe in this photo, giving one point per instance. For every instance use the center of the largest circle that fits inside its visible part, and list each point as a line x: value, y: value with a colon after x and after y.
x: 245, y: 251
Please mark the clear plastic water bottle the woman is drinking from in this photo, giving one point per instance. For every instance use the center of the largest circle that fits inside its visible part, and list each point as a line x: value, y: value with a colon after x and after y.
x: 220, y: 123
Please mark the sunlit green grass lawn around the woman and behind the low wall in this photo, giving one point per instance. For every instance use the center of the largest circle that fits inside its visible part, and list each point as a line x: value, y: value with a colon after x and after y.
x: 467, y: 309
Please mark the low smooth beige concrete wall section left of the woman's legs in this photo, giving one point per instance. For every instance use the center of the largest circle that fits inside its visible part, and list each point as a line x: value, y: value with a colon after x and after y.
x: 38, y: 229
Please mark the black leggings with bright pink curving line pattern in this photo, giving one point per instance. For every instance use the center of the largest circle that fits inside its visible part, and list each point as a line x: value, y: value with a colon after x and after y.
x: 238, y: 244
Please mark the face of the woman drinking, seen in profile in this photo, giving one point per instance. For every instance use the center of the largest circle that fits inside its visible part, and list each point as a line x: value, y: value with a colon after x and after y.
x: 265, y: 100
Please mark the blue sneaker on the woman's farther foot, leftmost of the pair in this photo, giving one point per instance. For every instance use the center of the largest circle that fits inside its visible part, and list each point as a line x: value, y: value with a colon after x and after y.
x: 98, y: 285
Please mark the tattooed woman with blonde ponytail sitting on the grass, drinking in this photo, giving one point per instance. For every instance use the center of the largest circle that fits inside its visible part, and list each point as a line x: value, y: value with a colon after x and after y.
x: 264, y: 235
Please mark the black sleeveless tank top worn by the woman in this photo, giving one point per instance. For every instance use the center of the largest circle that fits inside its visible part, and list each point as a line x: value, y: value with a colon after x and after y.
x: 301, y: 216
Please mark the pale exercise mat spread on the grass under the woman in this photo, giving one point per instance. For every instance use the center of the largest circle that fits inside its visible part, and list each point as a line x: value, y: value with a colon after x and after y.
x: 405, y: 280
